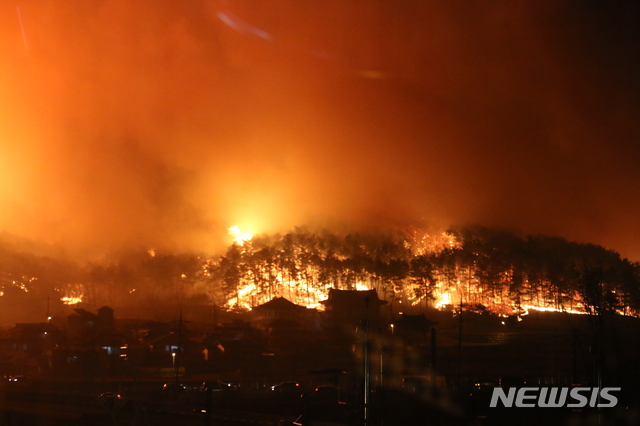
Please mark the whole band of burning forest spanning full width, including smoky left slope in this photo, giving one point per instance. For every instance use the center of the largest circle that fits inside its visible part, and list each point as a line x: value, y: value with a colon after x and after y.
x: 483, y: 269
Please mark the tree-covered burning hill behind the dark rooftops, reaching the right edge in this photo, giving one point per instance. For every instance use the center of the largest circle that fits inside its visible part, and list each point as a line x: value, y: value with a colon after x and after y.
x: 481, y: 269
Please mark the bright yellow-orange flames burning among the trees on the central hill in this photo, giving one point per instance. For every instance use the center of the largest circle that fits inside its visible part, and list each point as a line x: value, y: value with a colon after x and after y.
x: 450, y: 288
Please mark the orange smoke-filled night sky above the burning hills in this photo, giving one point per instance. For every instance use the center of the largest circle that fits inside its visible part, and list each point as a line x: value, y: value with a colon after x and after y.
x: 164, y: 123
